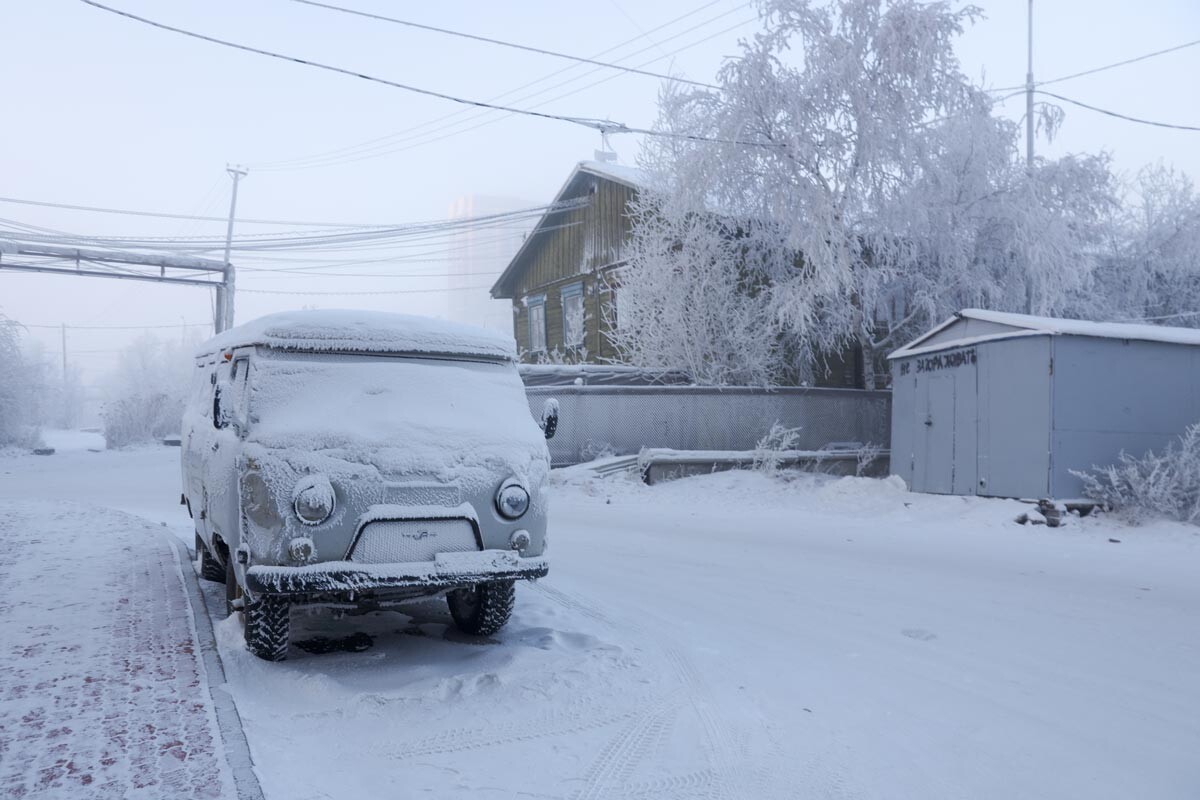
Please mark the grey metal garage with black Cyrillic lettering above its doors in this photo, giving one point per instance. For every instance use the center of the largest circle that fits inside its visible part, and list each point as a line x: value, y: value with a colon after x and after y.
x: 1006, y: 405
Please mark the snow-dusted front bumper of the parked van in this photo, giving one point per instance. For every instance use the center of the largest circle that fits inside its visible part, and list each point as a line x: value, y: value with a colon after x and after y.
x: 343, y: 579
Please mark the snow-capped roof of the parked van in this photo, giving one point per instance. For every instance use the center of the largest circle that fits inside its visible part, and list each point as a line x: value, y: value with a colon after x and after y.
x: 363, y: 332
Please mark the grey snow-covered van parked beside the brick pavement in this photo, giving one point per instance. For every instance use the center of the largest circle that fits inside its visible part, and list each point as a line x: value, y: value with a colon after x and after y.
x: 359, y: 460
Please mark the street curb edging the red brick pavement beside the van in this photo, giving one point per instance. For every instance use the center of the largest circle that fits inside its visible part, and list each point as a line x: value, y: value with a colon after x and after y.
x: 242, y: 765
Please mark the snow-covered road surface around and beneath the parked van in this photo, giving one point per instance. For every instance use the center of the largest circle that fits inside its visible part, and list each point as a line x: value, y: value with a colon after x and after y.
x: 737, y: 636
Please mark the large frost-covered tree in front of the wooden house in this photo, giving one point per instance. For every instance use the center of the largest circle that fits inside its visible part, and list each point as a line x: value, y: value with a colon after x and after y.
x: 862, y: 188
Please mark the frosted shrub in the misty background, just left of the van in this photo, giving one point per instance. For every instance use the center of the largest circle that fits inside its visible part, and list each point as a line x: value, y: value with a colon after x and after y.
x: 147, y: 393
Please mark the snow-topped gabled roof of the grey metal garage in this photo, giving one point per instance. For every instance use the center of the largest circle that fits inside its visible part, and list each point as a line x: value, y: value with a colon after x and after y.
x: 1004, y: 326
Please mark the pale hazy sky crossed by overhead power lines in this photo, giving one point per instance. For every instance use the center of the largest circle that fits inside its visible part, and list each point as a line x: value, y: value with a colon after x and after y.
x: 101, y: 111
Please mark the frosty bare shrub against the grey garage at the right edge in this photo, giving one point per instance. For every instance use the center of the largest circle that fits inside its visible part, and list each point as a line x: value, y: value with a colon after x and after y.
x: 1165, y: 485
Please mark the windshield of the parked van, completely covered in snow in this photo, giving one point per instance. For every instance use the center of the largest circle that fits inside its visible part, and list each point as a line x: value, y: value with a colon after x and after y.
x: 331, y: 401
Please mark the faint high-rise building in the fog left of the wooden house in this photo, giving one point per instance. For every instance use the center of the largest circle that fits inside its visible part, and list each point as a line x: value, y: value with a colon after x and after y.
x: 477, y: 257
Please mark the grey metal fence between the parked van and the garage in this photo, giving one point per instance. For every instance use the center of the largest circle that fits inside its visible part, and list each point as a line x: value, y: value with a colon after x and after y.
x: 621, y: 420
